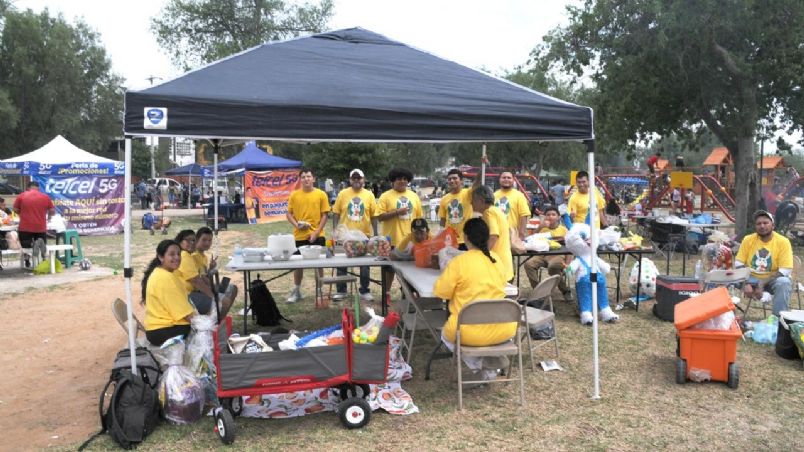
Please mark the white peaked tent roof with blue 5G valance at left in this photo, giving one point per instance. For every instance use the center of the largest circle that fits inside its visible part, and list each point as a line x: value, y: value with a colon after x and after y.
x: 59, y: 157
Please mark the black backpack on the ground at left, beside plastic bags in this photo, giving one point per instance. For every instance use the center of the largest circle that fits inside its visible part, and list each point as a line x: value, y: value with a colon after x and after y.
x: 133, y: 411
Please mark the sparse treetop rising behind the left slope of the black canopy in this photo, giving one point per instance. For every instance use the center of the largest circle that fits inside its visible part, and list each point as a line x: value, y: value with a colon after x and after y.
x: 201, y: 31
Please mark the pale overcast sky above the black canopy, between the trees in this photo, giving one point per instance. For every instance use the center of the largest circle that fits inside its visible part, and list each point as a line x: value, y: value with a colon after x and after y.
x: 494, y: 35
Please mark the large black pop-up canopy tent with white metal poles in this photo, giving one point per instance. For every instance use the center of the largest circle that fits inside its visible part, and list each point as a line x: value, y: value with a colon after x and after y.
x: 351, y: 85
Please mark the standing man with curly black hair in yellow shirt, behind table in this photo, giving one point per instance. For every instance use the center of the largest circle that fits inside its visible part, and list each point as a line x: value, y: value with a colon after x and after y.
x: 398, y: 206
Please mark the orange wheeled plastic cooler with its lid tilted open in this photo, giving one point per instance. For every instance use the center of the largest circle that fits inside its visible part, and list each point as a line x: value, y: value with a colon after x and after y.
x: 712, y: 351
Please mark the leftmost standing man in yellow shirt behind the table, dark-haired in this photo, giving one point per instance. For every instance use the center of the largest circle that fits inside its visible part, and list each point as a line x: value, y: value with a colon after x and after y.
x: 307, y: 213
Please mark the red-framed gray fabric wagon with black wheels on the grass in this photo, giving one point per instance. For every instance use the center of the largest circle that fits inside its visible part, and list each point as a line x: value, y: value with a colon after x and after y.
x: 348, y: 366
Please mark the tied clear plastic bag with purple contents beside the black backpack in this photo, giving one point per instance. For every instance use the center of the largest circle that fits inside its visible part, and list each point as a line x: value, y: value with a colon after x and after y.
x: 180, y: 392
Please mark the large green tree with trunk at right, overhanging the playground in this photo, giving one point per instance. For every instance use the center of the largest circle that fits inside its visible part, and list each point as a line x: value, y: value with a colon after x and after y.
x: 665, y: 66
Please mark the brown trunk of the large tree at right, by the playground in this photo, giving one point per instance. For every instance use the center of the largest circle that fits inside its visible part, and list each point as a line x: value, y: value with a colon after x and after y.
x: 744, y: 185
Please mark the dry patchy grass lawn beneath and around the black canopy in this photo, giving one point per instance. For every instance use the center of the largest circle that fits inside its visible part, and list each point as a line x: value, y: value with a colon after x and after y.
x: 641, y: 408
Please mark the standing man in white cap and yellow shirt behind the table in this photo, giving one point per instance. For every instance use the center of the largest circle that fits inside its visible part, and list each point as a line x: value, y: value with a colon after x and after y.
x: 356, y: 208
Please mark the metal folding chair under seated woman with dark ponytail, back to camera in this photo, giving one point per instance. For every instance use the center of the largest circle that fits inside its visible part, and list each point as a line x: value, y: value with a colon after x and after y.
x: 485, y: 312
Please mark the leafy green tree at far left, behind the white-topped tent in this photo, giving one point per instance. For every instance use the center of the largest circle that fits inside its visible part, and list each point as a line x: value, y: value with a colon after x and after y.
x: 55, y: 78
